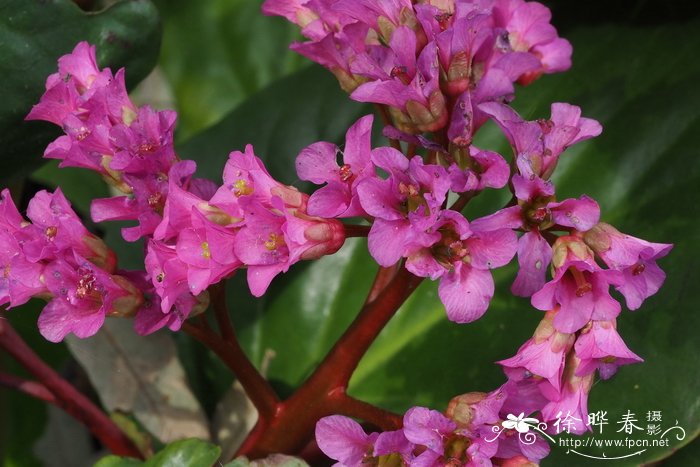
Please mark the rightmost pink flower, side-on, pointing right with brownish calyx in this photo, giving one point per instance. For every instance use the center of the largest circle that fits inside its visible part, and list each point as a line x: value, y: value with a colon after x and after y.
x: 636, y: 258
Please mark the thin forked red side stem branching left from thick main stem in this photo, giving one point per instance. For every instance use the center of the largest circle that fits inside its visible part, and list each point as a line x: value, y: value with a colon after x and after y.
x: 229, y: 350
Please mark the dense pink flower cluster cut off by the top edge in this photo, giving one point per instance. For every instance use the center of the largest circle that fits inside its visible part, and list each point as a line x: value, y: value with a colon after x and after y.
x: 433, y: 61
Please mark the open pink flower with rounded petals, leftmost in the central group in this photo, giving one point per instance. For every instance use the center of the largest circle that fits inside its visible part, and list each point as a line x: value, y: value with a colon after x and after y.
x: 317, y: 163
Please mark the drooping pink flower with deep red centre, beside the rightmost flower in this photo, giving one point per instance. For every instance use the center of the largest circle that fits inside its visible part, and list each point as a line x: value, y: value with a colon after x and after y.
x: 580, y: 287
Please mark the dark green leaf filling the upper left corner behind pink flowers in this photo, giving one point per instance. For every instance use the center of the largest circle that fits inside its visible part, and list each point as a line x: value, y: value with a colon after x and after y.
x: 34, y: 34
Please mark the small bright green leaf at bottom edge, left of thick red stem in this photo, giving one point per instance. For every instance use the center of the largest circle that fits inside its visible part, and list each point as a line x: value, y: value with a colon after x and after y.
x: 184, y: 453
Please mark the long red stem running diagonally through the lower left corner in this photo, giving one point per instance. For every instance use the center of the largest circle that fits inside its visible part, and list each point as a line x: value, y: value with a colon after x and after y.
x: 67, y: 397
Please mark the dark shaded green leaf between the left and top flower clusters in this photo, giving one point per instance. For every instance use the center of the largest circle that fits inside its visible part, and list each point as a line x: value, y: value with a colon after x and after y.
x: 288, y: 115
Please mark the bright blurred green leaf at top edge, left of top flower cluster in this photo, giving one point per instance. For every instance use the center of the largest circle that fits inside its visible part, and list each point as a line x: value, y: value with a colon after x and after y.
x: 218, y: 52
